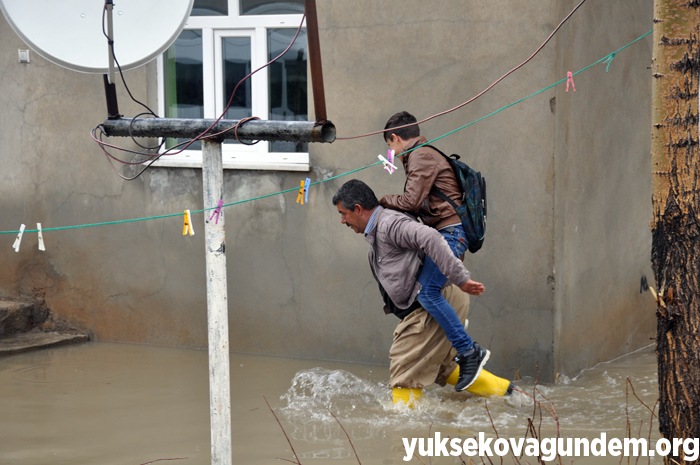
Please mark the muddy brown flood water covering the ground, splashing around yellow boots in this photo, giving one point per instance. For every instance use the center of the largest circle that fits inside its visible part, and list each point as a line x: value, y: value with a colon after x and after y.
x: 107, y: 403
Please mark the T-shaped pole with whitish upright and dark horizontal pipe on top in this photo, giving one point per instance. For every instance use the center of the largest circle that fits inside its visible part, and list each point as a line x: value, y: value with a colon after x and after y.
x: 215, y: 238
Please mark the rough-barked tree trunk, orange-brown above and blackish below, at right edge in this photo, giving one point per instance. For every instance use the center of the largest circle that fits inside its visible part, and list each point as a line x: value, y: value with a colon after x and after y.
x: 675, y: 225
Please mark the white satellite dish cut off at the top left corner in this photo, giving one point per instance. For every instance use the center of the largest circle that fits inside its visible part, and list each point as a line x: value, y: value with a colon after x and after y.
x: 69, y: 32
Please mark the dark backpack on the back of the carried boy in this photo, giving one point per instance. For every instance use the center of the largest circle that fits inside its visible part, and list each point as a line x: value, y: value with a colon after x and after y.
x: 472, y: 212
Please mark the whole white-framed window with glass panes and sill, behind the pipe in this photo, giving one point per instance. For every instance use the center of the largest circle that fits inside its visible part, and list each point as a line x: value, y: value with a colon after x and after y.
x: 223, y: 41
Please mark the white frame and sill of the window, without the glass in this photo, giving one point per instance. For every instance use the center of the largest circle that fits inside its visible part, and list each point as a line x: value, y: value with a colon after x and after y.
x: 235, y: 156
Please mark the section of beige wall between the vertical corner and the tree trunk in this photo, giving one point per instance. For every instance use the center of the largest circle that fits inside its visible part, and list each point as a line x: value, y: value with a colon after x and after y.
x: 602, y: 197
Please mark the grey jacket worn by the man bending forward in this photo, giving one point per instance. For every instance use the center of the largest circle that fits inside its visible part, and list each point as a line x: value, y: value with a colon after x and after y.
x: 401, y: 245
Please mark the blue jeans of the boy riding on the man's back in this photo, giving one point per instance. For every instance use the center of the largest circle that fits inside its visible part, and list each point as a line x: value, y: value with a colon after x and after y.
x: 430, y: 296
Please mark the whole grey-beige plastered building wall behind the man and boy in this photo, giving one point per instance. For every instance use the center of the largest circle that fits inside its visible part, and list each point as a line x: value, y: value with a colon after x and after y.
x: 568, y: 177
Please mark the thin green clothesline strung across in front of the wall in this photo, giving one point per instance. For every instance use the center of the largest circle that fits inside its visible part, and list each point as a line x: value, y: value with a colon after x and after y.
x: 607, y: 58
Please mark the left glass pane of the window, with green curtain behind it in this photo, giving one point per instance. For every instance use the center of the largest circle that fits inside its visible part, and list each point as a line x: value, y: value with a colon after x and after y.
x: 184, y: 94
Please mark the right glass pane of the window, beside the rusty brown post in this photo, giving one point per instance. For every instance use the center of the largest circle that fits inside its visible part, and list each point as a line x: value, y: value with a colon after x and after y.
x: 287, y: 83
